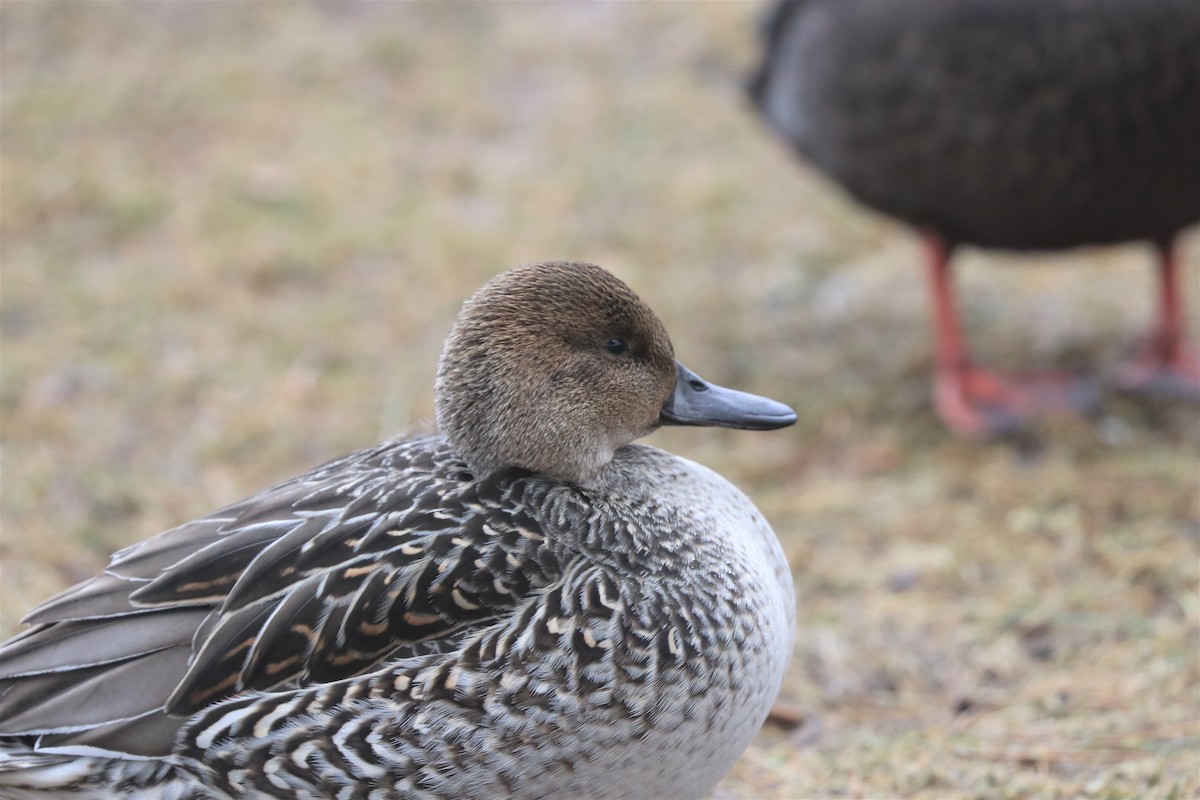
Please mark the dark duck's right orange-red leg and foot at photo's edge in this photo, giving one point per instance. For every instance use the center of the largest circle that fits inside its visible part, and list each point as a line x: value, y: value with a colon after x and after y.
x: 1166, y: 364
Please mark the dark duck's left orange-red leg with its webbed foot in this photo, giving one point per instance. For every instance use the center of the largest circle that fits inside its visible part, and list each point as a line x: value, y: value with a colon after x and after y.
x: 980, y: 402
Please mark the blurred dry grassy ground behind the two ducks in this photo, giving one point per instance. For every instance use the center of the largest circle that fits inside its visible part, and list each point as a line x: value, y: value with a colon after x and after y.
x: 233, y: 237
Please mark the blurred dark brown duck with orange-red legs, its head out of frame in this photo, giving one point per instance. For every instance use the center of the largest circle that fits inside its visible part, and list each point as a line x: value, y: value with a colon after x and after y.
x: 1009, y: 124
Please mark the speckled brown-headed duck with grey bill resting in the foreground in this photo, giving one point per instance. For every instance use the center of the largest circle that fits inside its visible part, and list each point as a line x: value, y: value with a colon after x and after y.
x: 526, y: 605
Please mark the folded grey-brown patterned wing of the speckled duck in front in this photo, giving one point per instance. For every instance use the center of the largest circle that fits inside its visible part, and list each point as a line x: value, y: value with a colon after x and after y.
x: 385, y: 554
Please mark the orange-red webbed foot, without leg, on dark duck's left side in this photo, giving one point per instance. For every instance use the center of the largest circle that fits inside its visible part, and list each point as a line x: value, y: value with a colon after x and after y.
x: 983, y: 404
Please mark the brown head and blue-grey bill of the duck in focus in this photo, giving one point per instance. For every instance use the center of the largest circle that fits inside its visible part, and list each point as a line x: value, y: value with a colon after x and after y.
x: 554, y: 368
